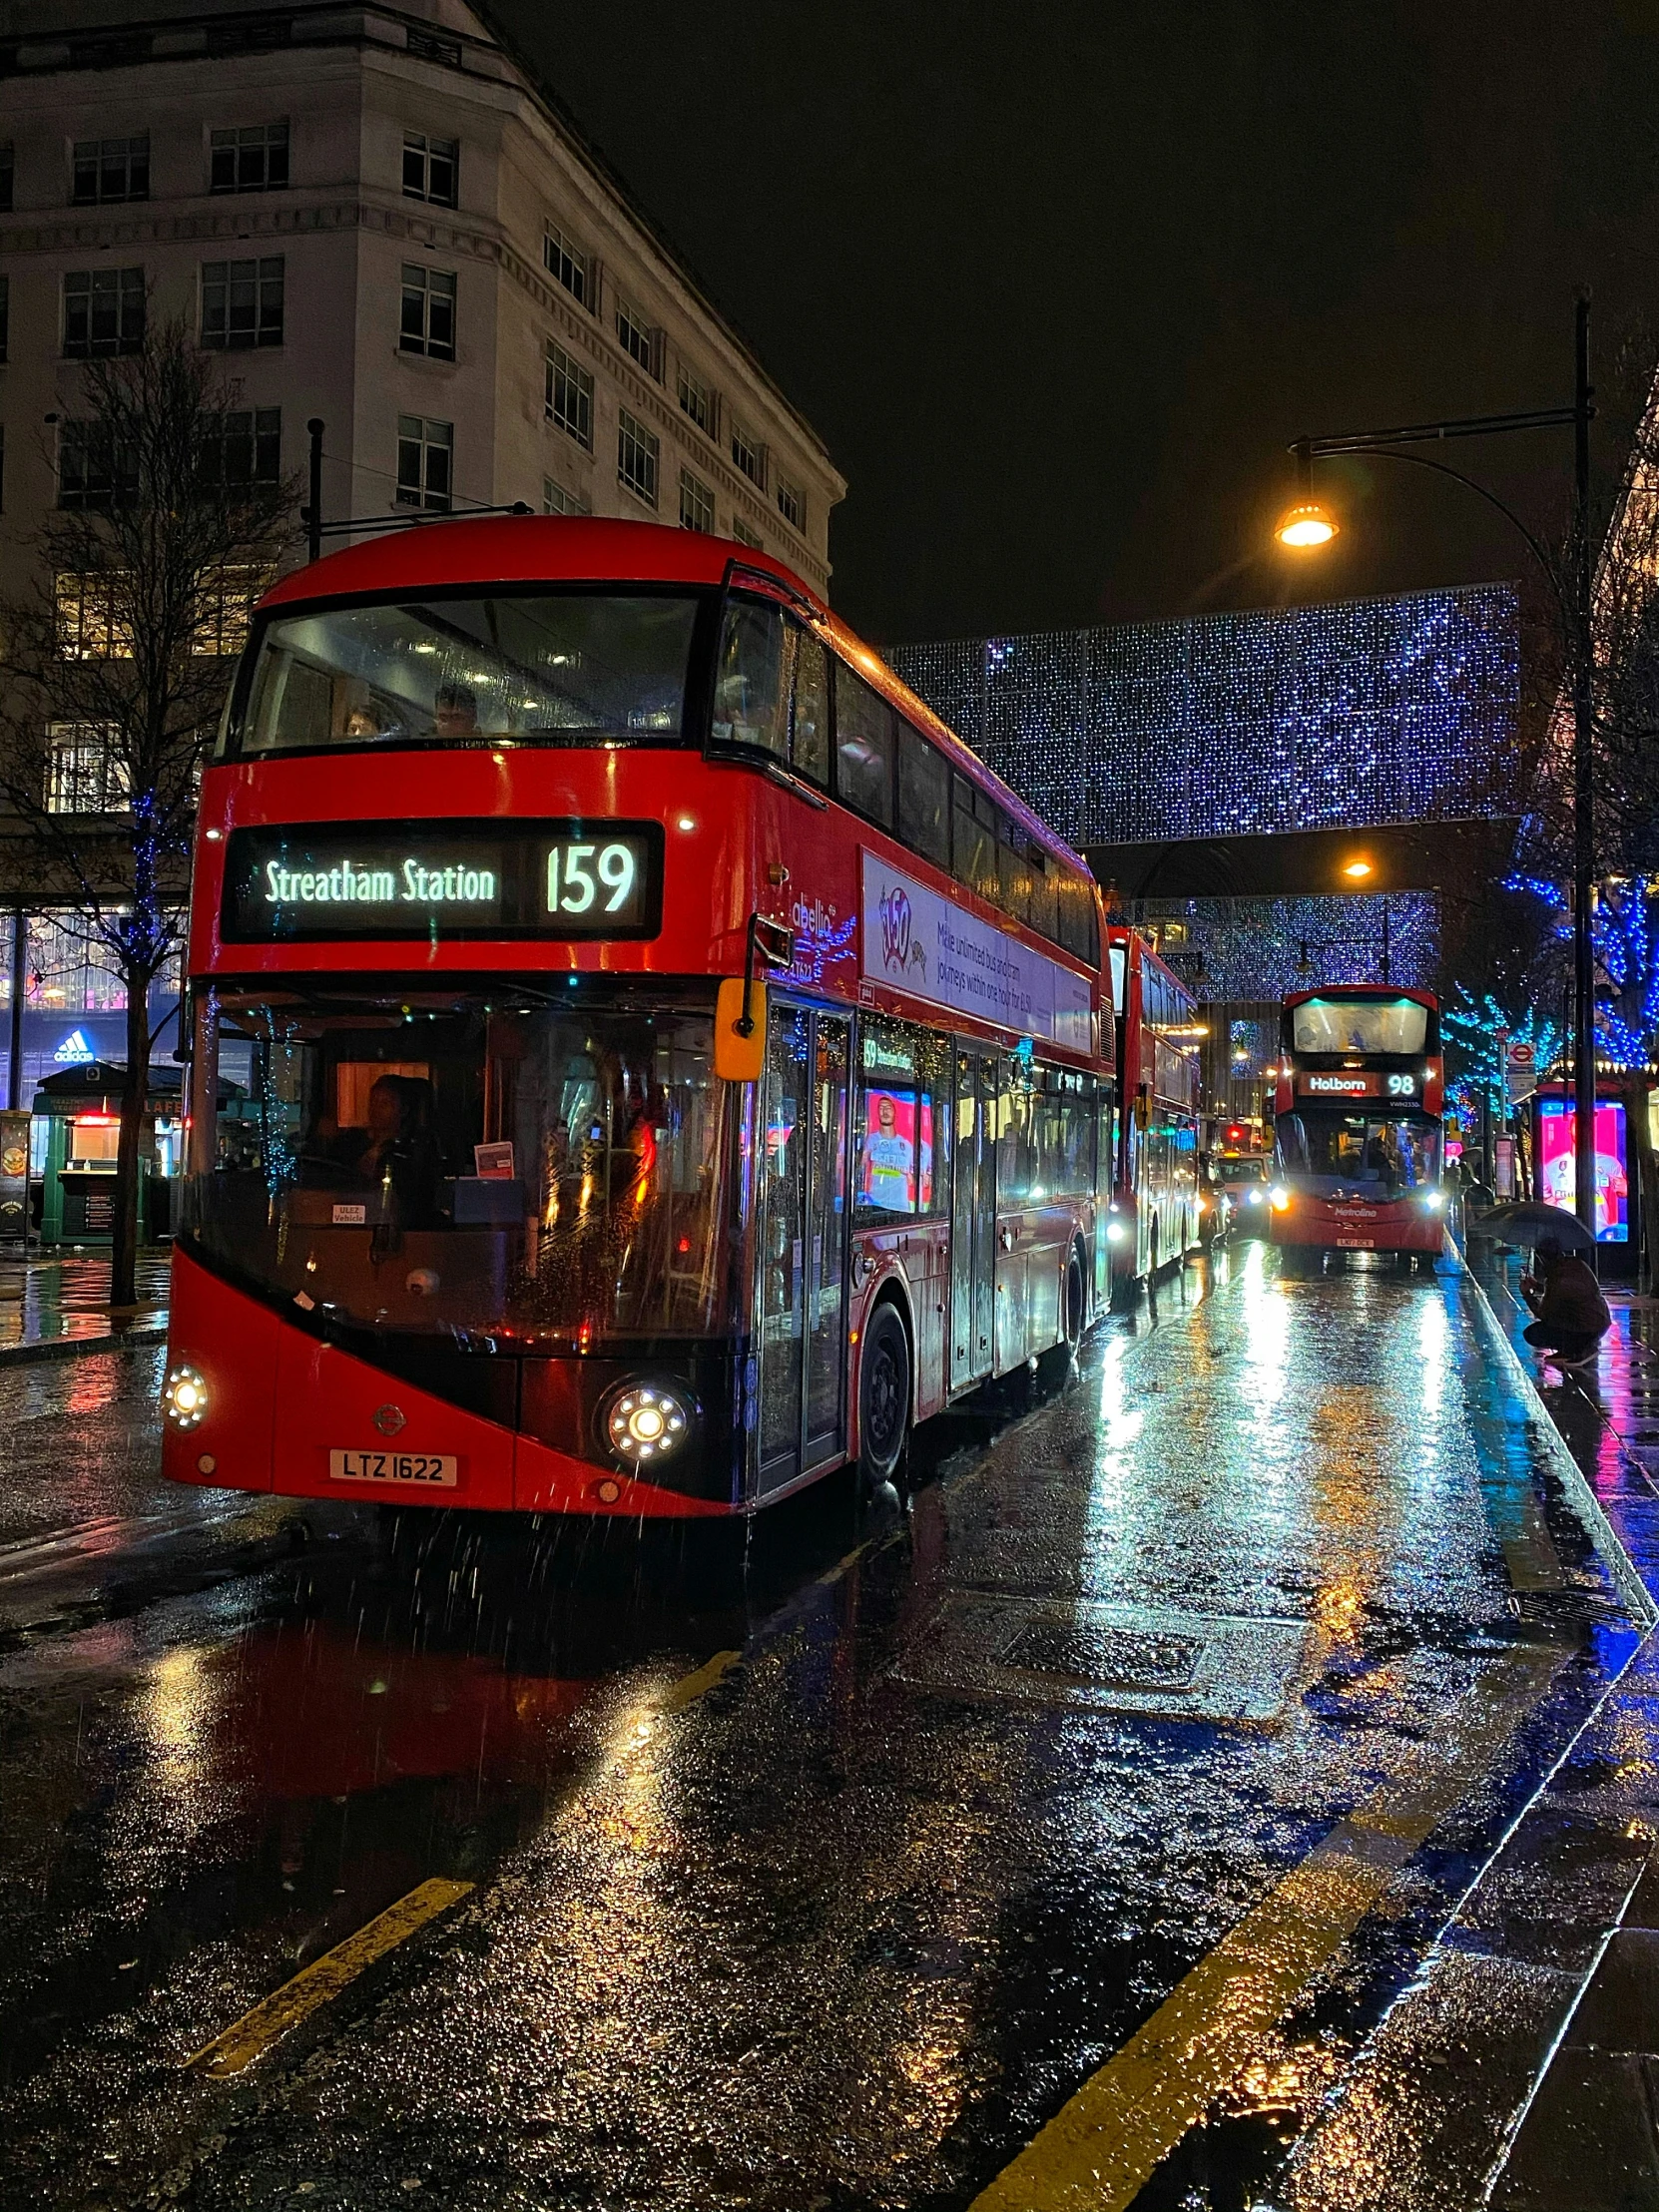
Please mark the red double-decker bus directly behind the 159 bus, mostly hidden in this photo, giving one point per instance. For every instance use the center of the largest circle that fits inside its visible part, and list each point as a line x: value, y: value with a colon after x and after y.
x: 1158, y: 1202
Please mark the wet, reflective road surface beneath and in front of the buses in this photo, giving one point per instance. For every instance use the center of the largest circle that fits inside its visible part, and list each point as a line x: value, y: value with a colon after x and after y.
x: 1074, y: 1828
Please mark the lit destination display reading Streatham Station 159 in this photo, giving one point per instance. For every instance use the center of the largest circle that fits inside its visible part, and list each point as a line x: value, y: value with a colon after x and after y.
x: 481, y: 879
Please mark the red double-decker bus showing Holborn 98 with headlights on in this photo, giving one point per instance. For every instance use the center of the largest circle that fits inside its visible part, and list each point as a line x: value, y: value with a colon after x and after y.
x: 1359, y: 1134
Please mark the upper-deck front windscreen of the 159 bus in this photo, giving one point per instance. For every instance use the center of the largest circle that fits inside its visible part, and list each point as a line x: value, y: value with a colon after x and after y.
x: 547, y: 669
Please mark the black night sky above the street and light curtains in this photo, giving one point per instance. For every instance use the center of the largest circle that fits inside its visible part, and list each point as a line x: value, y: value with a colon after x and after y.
x: 1058, y: 284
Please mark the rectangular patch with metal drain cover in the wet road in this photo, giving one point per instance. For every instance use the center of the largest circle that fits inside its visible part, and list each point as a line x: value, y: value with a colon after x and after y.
x: 1100, y: 1658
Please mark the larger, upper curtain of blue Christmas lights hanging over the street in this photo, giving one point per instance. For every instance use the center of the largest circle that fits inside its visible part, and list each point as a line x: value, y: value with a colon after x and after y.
x: 1339, y: 716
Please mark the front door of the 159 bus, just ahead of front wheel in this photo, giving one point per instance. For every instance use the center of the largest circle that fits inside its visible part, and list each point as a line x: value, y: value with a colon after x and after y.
x: 804, y: 1242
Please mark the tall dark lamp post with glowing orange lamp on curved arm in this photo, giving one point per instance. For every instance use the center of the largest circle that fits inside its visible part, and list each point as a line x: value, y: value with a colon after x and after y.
x: 1308, y: 528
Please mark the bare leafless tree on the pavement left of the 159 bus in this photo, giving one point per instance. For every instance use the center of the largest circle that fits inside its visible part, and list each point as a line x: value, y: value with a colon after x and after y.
x: 171, y: 521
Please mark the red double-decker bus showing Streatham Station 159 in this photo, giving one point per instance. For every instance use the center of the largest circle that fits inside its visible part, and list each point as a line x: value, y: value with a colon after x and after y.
x: 640, y: 1058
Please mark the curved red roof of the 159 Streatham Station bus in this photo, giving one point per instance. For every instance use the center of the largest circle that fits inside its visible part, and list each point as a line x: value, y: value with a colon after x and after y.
x: 567, y: 550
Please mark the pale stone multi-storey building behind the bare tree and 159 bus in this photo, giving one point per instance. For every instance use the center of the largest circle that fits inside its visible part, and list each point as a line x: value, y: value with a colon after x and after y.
x: 388, y: 225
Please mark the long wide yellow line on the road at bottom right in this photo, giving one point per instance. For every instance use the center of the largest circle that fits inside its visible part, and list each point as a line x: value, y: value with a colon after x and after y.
x: 1100, y: 2149
